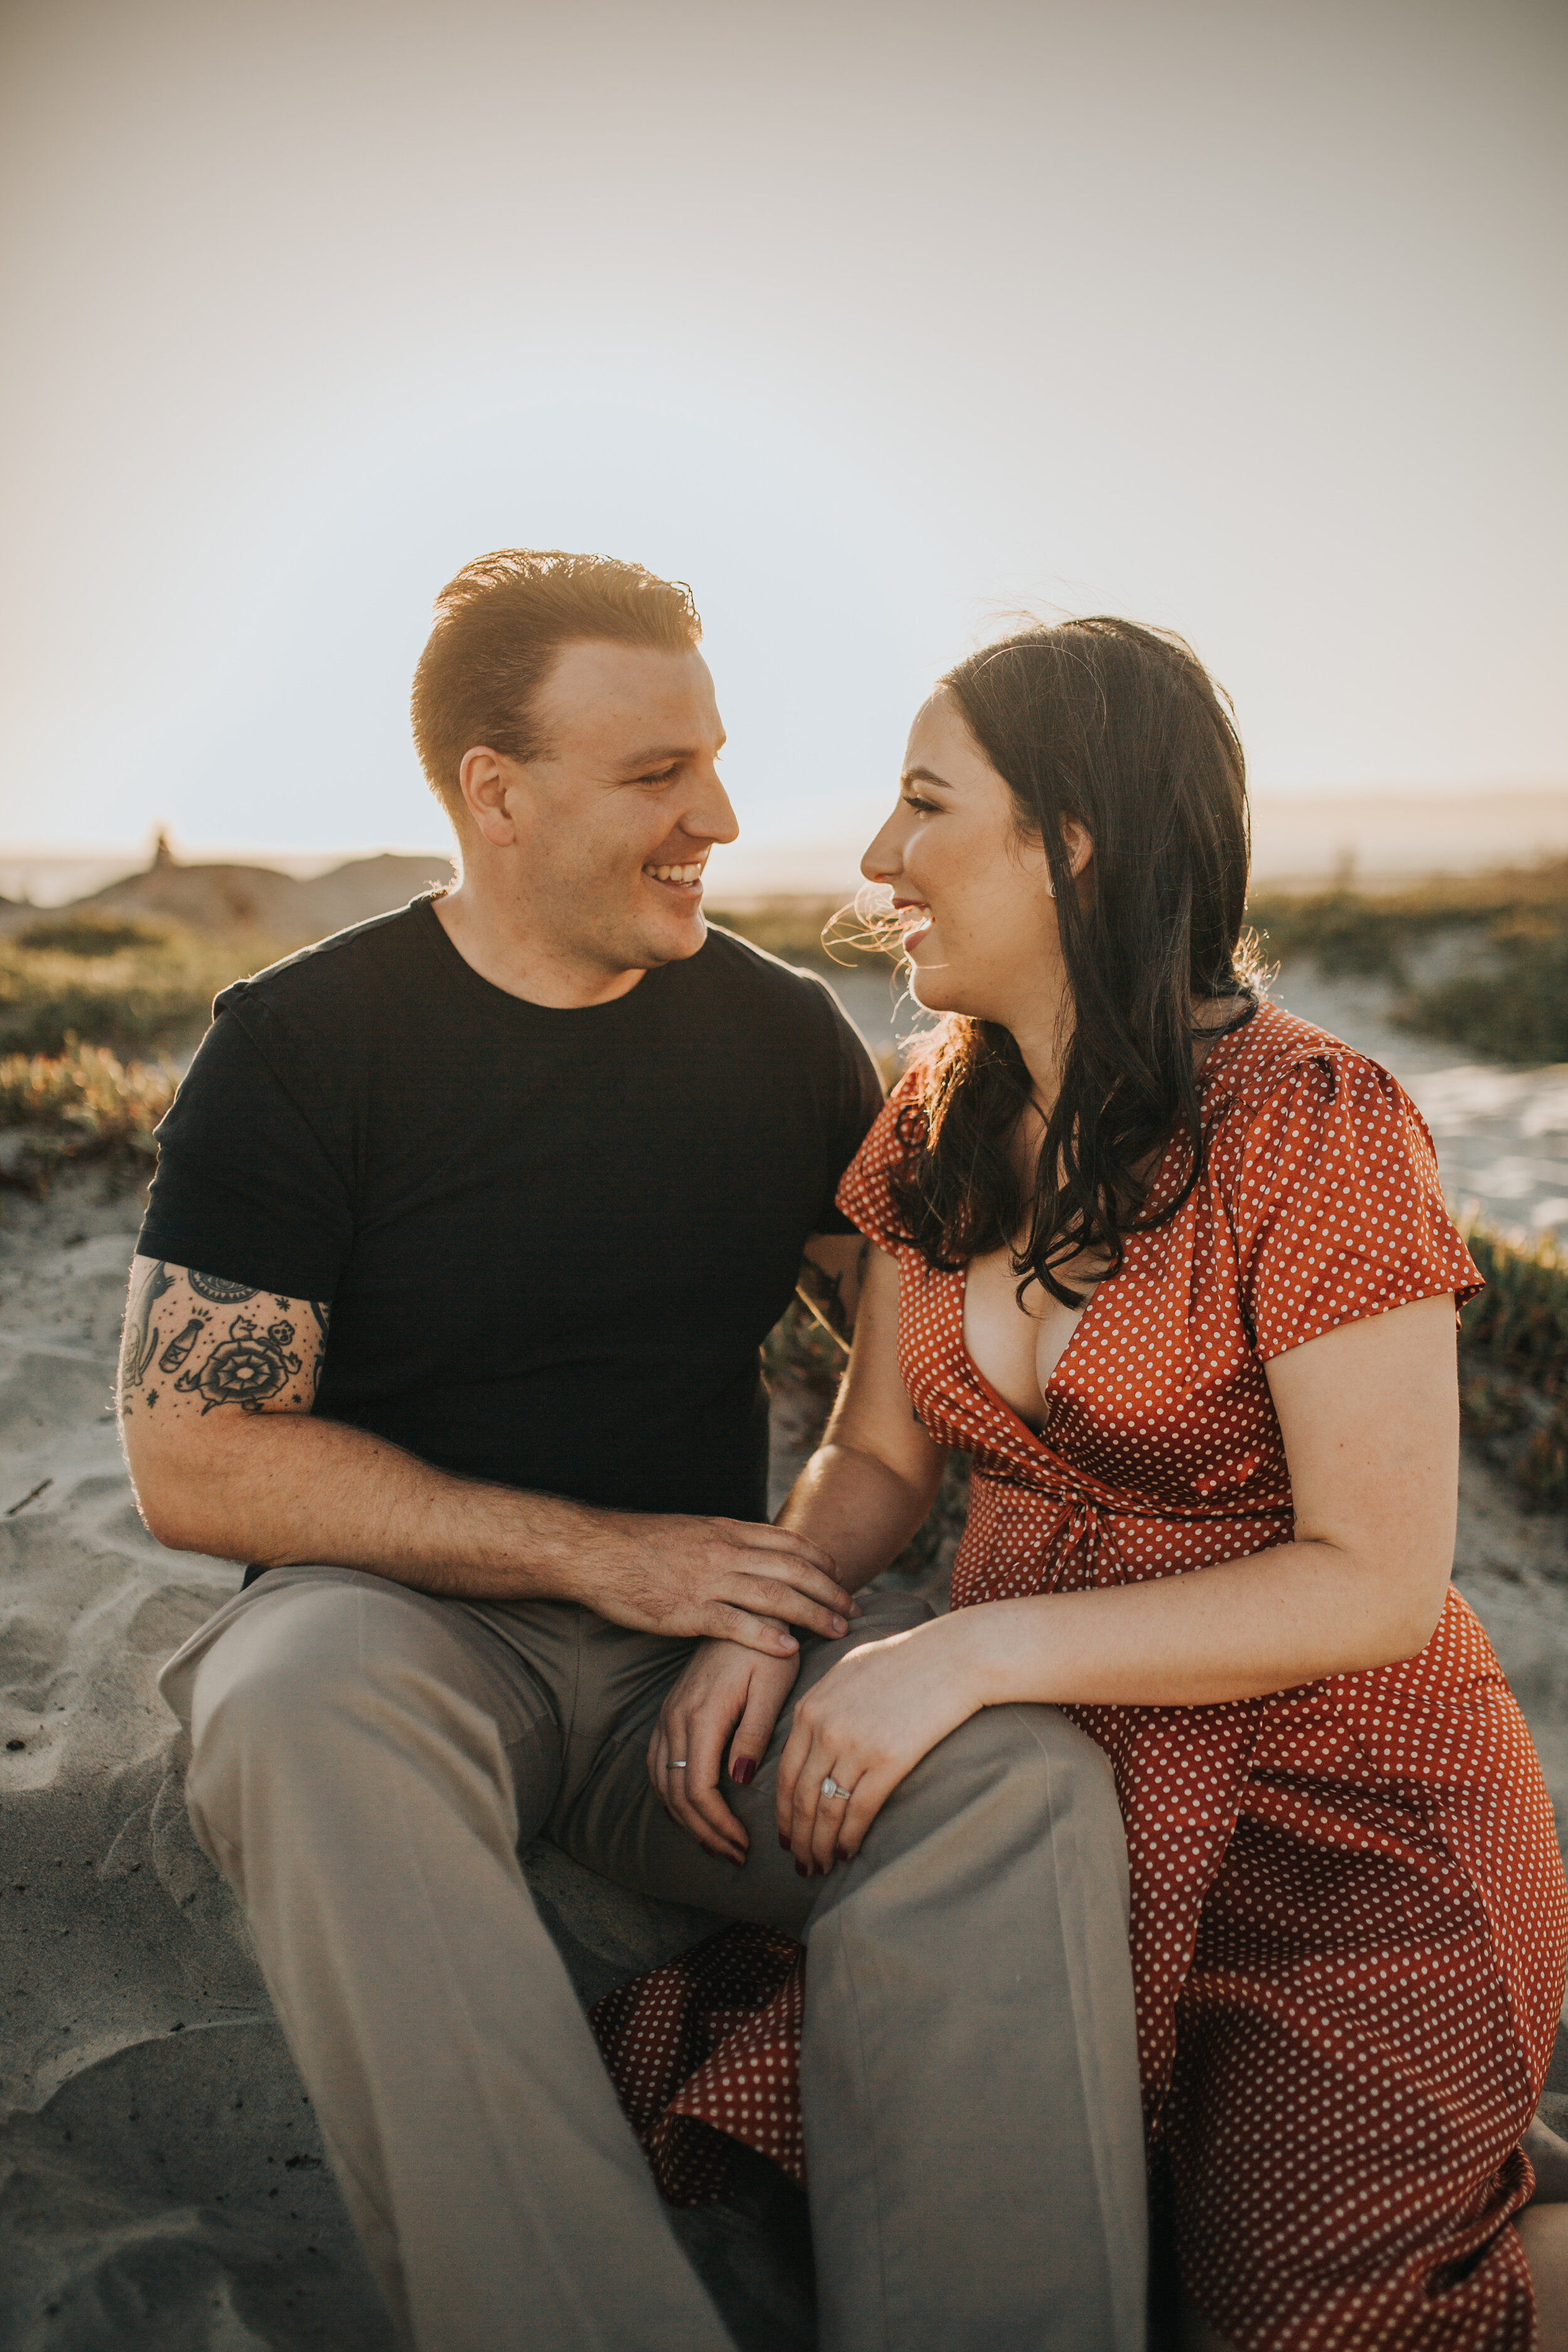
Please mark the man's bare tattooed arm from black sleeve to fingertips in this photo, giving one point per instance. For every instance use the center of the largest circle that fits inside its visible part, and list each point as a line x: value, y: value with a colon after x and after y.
x: 227, y: 1455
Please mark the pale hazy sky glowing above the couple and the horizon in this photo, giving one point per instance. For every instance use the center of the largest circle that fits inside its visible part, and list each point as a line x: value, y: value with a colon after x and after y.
x: 876, y: 323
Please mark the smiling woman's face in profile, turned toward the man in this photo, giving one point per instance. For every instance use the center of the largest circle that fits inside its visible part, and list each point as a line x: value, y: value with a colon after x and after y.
x: 972, y: 893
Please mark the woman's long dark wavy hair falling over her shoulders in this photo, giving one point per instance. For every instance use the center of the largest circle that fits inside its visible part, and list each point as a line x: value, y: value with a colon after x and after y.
x: 1123, y: 730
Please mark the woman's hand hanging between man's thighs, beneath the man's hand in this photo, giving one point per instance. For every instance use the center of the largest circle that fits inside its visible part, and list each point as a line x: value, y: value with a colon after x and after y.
x: 725, y: 1688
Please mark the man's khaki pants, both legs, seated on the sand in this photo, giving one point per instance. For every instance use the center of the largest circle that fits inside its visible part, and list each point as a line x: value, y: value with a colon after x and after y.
x: 368, y: 1768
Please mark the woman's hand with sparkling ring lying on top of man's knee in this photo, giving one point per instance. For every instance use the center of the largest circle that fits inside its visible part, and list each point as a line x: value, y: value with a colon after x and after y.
x: 866, y: 1725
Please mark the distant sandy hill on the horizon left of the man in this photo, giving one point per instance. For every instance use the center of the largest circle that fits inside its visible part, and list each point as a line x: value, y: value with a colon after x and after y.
x: 257, y: 897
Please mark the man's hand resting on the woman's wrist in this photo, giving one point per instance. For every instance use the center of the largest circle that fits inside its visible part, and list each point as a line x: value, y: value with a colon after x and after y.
x: 721, y: 1579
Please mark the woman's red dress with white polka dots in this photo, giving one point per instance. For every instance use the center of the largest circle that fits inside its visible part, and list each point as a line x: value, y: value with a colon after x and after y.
x: 1348, y: 1899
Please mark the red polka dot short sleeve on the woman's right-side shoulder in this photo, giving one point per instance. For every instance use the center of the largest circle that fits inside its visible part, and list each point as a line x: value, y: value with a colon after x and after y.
x: 1339, y: 1208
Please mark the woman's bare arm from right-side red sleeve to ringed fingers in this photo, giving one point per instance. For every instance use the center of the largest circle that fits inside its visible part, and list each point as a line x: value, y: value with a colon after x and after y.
x: 1372, y: 1429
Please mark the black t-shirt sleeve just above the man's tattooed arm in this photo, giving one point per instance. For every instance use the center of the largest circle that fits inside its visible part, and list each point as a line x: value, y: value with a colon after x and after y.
x: 250, y: 1180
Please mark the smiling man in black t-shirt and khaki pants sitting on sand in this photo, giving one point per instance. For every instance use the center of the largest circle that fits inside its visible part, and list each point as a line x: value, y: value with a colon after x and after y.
x: 445, y: 1316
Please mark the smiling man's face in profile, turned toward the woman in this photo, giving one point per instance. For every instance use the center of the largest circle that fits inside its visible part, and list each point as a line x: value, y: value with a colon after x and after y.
x: 617, y: 820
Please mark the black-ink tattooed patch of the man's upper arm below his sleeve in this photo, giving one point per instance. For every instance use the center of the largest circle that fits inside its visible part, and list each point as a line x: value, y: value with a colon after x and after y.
x: 262, y: 1358
